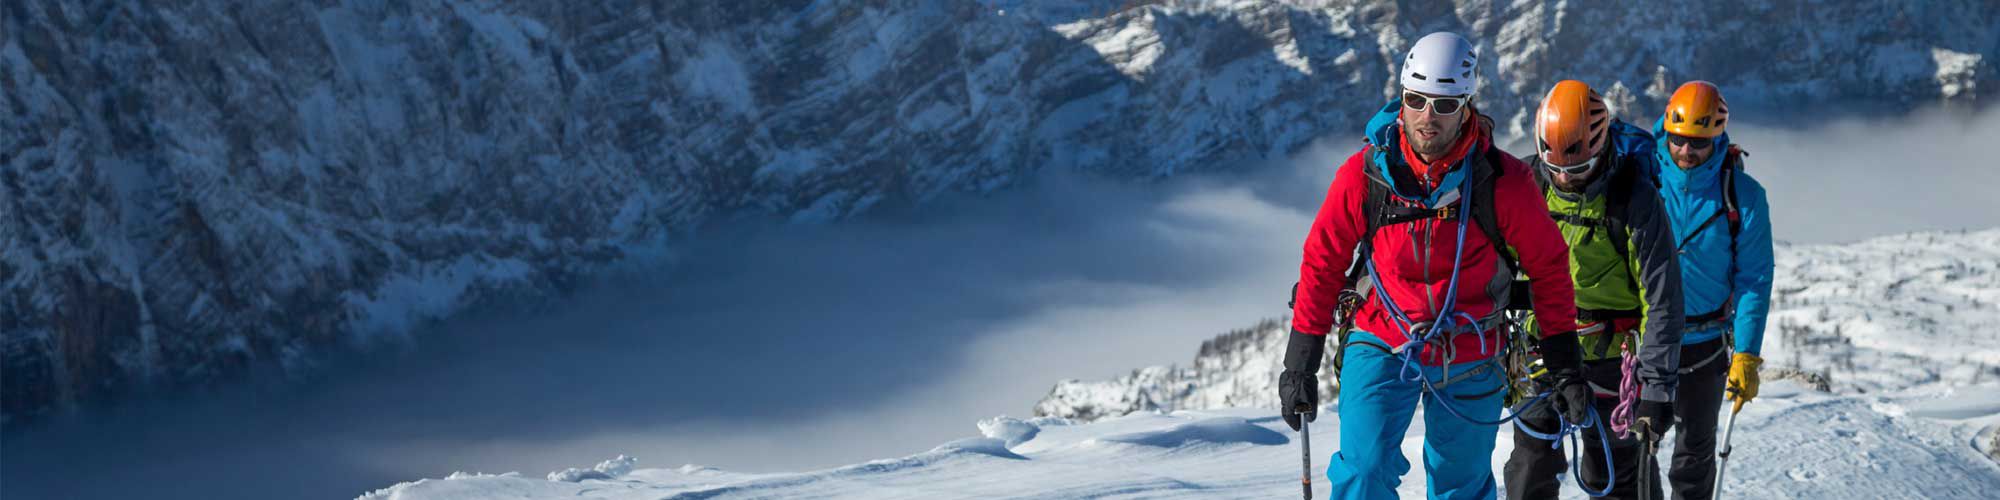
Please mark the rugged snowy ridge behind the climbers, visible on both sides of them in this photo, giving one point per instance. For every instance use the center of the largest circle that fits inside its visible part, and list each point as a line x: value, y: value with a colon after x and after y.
x: 1903, y: 315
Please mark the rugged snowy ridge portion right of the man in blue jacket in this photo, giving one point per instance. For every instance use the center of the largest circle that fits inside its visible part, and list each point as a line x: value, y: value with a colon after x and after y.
x: 1895, y: 313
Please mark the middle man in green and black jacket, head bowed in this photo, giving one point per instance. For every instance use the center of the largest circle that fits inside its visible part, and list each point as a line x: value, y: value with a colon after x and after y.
x: 1595, y: 175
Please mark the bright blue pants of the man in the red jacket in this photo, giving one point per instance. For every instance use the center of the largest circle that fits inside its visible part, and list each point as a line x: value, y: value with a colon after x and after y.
x: 1375, y: 413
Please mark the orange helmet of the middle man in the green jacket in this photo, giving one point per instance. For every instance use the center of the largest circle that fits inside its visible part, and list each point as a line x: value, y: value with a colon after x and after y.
x: 1573, y: 125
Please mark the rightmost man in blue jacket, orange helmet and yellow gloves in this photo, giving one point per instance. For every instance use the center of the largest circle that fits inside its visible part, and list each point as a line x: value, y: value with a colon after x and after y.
x: 1723, y: 237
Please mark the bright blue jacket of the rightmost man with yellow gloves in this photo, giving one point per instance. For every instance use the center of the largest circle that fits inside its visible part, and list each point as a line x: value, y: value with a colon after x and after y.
x: 1713, y: 275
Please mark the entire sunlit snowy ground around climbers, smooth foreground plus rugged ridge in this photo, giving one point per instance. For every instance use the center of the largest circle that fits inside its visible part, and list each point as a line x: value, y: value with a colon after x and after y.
x: 1879, y: 387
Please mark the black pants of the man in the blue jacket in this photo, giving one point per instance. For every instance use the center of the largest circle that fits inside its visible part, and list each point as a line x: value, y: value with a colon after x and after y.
x: 1697, y: 407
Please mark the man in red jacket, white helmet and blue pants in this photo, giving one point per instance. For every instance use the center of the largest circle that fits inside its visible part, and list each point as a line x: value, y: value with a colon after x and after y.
x: 1435, y: 287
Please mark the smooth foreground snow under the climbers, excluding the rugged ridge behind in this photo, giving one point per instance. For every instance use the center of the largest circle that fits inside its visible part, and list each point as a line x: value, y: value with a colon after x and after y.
x: 1789, y: 445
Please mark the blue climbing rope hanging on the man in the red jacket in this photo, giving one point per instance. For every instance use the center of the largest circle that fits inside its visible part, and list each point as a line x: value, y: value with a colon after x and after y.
x: 1439, y: 333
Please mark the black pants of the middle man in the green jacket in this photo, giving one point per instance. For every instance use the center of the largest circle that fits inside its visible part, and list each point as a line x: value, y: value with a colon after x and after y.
x: 1531, y: 471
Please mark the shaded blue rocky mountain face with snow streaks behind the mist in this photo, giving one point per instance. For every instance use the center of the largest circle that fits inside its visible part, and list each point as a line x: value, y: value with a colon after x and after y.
x: 193, y: 189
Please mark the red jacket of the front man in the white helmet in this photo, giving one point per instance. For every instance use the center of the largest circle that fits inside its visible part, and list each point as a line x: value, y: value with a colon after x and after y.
x: 1523, y: 219
